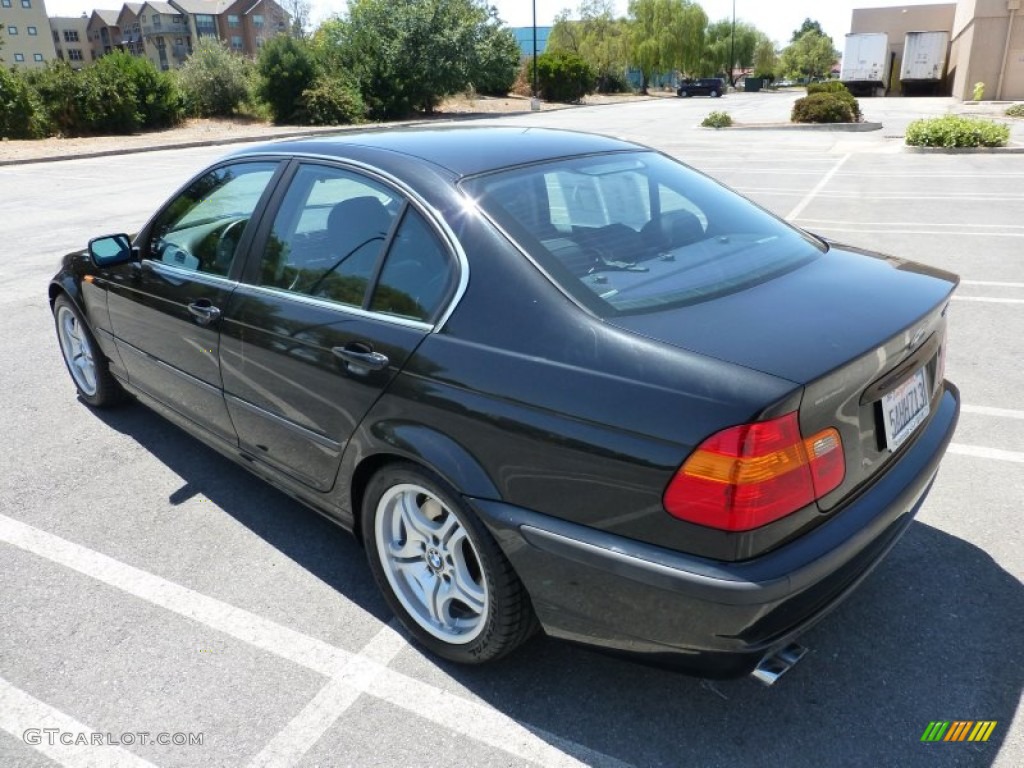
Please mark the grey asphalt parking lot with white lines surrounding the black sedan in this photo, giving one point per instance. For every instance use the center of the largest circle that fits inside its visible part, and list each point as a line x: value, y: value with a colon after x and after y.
x: 152, y: 588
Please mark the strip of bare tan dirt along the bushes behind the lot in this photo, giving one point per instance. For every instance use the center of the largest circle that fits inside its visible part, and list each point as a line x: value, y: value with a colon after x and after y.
x: 228, y: 132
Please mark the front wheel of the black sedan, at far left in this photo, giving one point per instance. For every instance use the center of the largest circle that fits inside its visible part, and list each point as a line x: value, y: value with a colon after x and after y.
x: 82, y: 356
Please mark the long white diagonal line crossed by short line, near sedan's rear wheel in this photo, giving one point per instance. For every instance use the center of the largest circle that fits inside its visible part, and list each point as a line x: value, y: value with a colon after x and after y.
x: 352, y: 672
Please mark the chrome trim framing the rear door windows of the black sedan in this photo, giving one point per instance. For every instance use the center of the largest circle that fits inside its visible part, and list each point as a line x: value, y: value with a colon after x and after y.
x: 433, y: 217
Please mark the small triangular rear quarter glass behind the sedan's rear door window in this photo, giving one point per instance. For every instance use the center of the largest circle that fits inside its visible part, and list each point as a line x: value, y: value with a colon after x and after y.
x: 417, y: 275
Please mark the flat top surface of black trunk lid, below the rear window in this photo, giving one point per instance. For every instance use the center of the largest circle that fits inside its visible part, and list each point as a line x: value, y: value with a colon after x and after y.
x: 808, y: 322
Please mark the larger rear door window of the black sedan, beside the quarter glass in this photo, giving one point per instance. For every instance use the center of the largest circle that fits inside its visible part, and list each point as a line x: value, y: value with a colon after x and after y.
x: 328, y: 235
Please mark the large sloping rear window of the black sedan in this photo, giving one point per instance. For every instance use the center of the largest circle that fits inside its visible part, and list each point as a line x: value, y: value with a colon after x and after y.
x: 637, y: 232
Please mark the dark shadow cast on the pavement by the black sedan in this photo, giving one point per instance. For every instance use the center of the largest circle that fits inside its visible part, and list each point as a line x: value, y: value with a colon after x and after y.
x: 936, y: 633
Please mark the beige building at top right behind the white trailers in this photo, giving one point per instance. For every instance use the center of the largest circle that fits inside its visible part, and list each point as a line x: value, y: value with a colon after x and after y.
x: 987, y: 42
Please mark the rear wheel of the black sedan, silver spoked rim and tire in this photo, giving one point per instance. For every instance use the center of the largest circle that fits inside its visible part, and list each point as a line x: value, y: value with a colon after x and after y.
x: 441, y: 571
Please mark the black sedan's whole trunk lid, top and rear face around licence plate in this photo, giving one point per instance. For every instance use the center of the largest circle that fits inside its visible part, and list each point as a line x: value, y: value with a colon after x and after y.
x: 849, y: 327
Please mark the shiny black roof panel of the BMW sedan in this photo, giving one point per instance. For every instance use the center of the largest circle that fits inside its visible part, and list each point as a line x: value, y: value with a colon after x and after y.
x: 460, y: 150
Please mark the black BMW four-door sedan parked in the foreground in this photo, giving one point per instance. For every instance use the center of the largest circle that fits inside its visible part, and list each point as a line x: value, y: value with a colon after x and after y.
x: 549, y: 379
